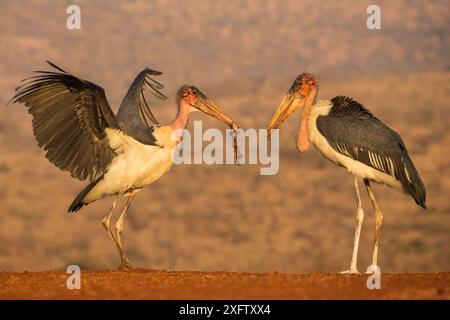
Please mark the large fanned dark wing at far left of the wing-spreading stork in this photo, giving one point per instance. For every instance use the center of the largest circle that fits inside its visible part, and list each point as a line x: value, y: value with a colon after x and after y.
x: 69, y: 119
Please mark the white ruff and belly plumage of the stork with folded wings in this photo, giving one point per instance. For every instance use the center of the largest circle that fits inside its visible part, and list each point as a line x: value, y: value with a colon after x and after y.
x: 355, y: 167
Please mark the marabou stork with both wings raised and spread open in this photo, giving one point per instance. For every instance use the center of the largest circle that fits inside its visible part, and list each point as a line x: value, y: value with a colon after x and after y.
x: 119, y: 154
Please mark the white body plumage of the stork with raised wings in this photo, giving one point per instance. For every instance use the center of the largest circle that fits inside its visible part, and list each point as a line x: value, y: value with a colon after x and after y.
x: 135, y: 165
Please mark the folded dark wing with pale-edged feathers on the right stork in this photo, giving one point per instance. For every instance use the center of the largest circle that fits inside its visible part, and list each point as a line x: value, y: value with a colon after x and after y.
x: 354, y: 132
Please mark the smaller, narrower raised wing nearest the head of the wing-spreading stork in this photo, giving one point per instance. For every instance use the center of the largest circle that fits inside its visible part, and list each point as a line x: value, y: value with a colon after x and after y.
x: 134, y: 115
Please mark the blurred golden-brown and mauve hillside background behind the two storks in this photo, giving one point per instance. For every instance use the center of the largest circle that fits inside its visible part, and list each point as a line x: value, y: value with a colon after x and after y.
x: 244, y: 55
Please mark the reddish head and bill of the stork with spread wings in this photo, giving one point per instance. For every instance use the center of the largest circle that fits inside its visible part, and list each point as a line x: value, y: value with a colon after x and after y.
x: 192, y: 98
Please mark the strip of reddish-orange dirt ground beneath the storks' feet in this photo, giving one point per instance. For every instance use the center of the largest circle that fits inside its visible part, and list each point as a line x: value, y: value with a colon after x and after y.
x: 151, y: 284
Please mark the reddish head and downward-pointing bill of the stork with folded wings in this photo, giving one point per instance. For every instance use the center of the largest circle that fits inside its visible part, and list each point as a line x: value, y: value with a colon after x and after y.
x: 303, y: 86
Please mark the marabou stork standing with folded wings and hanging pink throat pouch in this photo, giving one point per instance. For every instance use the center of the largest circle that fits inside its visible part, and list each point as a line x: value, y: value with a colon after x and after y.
x: 346, y: 133
